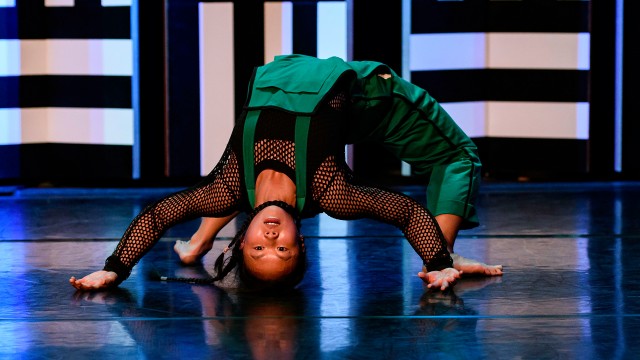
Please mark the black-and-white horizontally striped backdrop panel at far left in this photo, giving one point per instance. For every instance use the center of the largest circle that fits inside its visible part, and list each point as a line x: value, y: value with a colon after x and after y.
x: 65, y: 89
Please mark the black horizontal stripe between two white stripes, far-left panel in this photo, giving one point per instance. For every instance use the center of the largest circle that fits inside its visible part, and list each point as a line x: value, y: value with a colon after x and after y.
x: 65, y: 91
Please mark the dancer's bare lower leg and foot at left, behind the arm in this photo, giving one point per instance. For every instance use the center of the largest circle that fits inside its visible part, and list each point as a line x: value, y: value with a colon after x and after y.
x: 190, y: 252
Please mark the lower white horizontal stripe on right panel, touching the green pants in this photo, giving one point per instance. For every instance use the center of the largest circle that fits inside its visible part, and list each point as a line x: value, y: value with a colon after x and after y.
x: 548, y: 120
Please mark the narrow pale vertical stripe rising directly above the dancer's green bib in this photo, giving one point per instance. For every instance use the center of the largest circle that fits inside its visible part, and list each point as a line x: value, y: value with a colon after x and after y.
x: 278, y: 29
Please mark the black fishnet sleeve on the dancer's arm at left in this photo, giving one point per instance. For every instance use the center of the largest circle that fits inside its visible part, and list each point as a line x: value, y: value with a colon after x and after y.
x: 216, y: 196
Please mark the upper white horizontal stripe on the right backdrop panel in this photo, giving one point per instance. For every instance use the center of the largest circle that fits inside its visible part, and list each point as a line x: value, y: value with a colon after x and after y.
x: 499, y: 50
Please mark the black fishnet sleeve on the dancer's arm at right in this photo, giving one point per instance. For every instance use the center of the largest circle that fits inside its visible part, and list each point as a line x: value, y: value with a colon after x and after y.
x: 345, y: 200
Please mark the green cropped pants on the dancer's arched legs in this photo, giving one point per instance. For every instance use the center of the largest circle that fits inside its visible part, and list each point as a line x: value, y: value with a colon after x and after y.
x: 414, y: 127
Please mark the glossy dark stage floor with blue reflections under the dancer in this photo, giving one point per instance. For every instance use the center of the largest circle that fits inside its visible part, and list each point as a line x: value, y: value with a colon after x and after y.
x: 571, y: 288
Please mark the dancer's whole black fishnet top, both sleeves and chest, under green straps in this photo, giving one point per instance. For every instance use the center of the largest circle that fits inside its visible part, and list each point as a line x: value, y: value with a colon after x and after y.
x: 333, y: 188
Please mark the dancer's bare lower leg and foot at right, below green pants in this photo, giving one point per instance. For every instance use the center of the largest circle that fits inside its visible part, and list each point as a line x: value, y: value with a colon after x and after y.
x: 450, y: 224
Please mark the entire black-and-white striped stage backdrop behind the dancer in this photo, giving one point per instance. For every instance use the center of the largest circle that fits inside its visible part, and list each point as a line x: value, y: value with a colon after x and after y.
x: 514, y: 74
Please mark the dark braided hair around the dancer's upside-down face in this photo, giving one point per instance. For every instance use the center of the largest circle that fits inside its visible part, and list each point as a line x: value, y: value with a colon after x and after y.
x: 247, y: 280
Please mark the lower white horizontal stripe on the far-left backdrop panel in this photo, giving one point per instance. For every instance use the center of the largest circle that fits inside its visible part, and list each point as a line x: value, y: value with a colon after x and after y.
x: 66, y: 125
